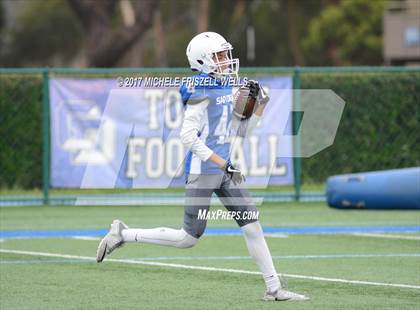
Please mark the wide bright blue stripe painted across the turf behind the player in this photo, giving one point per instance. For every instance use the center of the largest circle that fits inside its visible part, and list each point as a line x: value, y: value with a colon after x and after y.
x: 217, y: 231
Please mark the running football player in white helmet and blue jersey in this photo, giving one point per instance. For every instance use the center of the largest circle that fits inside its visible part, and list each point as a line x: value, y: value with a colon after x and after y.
x: 207, y: 131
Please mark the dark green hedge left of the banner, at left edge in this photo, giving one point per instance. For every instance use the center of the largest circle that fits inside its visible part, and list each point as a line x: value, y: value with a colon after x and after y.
x: 20, y: 131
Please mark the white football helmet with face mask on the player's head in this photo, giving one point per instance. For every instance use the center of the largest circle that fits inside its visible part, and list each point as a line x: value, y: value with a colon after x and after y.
x: 204, y: 55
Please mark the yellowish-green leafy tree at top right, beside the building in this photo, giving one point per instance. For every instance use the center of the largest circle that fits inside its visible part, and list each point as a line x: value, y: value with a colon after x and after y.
x: 347, y: 33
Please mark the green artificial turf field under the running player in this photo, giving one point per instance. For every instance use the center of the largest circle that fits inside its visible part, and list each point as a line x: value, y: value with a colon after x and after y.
x: 60, y: 273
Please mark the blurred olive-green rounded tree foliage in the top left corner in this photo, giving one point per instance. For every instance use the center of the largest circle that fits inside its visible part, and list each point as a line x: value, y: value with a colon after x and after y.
x: 44, y: 33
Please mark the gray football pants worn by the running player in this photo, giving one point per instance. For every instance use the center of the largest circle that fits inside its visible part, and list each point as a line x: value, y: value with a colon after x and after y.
x: 199, y: 190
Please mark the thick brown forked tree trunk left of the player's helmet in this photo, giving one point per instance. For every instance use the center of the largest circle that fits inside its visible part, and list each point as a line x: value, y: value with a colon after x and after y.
x: 107, y: 39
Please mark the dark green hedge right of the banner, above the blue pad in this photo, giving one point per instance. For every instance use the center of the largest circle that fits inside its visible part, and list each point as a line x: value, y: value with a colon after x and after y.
x: 380, y: 125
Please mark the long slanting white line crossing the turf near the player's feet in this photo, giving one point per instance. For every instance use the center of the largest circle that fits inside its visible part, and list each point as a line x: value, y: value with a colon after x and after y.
x: 130, y: 261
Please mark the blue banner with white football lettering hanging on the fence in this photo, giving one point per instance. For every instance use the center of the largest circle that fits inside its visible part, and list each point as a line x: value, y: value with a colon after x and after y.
x: 106, y: 136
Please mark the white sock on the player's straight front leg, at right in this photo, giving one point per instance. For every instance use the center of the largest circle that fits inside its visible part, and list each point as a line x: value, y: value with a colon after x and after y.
x: 259, y: 251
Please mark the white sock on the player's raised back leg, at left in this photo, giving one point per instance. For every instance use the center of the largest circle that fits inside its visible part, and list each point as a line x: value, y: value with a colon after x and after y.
x: 163, y: 236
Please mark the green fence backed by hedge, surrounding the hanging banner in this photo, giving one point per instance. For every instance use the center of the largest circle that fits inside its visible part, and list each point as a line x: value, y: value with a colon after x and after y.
x: 378, y: 130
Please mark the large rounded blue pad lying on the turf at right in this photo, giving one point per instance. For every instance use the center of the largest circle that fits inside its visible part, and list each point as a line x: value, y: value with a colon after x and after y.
x: 390, y: 189
